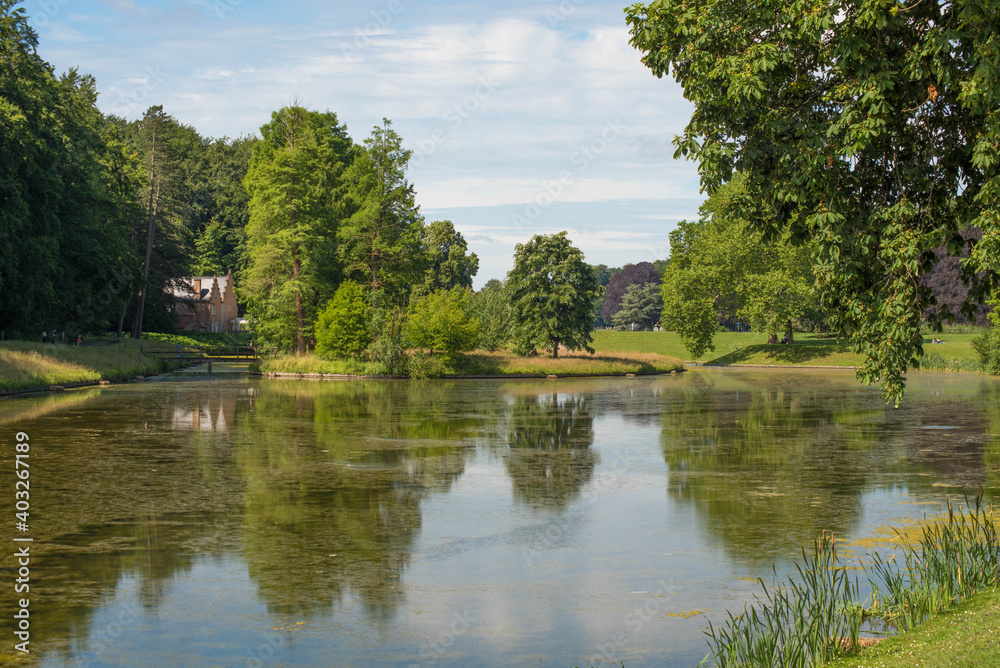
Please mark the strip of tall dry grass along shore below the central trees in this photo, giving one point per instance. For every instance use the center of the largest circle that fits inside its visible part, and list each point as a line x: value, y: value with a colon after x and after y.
x: 482, y: 363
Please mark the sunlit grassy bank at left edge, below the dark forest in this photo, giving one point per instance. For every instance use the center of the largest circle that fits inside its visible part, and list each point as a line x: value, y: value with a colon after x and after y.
x: 26, y: 365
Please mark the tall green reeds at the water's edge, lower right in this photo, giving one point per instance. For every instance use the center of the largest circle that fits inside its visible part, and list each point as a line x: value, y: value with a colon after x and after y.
x: 818, y: 616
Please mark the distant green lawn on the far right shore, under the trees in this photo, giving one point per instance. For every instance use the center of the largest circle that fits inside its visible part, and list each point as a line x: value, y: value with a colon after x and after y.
x: 955, y: 354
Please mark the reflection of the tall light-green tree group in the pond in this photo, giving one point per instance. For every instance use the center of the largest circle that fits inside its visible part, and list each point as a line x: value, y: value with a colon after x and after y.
x: 335, y: 475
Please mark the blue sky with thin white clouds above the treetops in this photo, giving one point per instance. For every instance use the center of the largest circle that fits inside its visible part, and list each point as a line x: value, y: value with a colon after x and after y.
x: 525, y: 117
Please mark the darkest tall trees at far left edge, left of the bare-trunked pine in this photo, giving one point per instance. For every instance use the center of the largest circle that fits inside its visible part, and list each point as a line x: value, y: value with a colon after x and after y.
x: 64, y: 219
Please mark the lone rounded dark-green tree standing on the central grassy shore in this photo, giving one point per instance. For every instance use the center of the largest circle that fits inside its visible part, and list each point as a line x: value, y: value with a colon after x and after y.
x: 551, y: 290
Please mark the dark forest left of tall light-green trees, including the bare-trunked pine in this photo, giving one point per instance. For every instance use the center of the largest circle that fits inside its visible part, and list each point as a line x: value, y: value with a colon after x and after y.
x: 99, y: 215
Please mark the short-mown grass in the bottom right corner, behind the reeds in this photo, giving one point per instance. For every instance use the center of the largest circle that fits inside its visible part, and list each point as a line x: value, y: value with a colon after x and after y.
x: 967, y: 635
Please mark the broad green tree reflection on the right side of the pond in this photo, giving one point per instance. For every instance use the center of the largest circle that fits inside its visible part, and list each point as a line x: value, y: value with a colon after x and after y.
x: 770, y: 460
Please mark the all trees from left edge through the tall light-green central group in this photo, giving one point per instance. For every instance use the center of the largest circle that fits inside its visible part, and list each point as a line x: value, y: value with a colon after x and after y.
x: 101, y: 218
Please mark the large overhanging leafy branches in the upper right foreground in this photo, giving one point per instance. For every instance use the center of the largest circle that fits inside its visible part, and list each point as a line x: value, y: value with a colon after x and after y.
x: 869, y: 127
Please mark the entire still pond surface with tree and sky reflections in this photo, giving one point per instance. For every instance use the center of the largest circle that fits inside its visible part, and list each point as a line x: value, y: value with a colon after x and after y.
x: 467, y: 523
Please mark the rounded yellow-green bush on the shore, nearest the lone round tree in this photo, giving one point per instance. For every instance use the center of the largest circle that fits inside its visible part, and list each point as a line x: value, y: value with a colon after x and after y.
x: 443, y: 321
